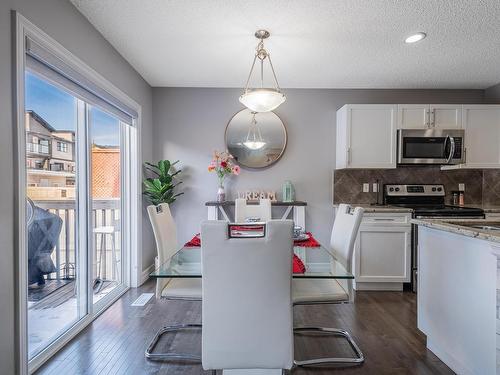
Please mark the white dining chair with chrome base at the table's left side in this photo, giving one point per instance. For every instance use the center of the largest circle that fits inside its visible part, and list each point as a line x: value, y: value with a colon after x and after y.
x: 186, y: 289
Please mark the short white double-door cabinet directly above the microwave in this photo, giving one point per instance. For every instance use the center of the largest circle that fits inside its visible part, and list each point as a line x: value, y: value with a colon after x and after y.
x: 428, y: 116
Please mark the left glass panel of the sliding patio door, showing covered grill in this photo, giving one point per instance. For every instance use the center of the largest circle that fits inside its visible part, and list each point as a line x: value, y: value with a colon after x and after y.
x: 57, y: 292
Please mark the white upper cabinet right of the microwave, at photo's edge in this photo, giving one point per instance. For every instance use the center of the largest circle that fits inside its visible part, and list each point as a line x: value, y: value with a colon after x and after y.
x: 482, y: 136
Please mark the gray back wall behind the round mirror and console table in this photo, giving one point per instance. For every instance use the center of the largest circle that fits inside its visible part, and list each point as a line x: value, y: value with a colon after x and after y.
x: 189, y: 124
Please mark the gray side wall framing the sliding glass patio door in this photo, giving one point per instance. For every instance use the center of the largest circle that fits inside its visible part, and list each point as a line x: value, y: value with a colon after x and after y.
x: 65, y: 24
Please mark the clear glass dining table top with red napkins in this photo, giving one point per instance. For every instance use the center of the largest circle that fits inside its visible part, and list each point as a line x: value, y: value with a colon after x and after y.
x: 320, y: 263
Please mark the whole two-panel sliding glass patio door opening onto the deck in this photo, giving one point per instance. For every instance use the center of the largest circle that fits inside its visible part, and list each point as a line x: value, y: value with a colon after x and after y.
x: 75, y: 170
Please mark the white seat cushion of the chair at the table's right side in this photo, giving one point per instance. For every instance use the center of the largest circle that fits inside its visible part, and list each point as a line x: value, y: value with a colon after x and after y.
x: 318, y: 290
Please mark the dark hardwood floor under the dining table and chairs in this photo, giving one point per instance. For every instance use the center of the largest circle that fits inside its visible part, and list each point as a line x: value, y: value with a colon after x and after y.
x: 383, y: 324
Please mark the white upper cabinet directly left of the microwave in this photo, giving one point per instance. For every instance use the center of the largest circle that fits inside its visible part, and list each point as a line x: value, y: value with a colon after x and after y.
x: 366, y: 136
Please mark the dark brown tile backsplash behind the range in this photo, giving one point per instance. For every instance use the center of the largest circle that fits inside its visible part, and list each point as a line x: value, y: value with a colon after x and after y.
x: 482, y: 187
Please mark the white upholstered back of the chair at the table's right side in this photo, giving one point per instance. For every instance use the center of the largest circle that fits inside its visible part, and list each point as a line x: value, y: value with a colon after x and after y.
x: 344, y: 233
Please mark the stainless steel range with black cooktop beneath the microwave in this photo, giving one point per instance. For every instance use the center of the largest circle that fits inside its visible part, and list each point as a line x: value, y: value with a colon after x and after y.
x: 426, y: 201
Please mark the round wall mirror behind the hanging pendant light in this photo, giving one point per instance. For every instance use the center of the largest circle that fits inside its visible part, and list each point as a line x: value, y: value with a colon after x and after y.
x: 256, y: 139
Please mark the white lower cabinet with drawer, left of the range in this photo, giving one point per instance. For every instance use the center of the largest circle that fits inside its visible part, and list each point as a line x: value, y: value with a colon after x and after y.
x: 382, y: 253
